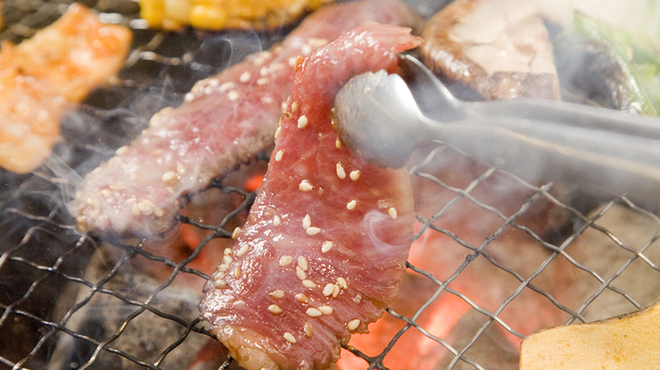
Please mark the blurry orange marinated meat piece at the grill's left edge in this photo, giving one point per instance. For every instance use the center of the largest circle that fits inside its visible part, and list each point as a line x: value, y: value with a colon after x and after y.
x: 42, y: 76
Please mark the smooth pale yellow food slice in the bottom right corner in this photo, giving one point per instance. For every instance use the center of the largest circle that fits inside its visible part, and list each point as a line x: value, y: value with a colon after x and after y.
x: 627, y: 342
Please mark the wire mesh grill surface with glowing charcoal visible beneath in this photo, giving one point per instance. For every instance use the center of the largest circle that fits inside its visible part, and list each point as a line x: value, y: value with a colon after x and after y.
x: 72, y: 301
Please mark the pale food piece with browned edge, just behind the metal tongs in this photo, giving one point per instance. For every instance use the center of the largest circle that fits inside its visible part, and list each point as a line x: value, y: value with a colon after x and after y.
x: 500, y: 48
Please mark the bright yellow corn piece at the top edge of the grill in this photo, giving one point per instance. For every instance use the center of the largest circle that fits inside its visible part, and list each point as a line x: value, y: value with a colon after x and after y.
x: 221, y: 14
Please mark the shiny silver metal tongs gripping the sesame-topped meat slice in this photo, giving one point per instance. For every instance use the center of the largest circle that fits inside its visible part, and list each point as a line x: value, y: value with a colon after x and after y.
x: 538, y: 140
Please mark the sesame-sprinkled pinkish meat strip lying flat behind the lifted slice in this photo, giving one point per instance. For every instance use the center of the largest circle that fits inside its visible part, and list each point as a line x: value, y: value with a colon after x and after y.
x: 224, y: 121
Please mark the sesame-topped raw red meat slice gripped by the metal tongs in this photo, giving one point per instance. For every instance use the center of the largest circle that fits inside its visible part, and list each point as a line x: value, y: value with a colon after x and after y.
x: 325, y: 244
